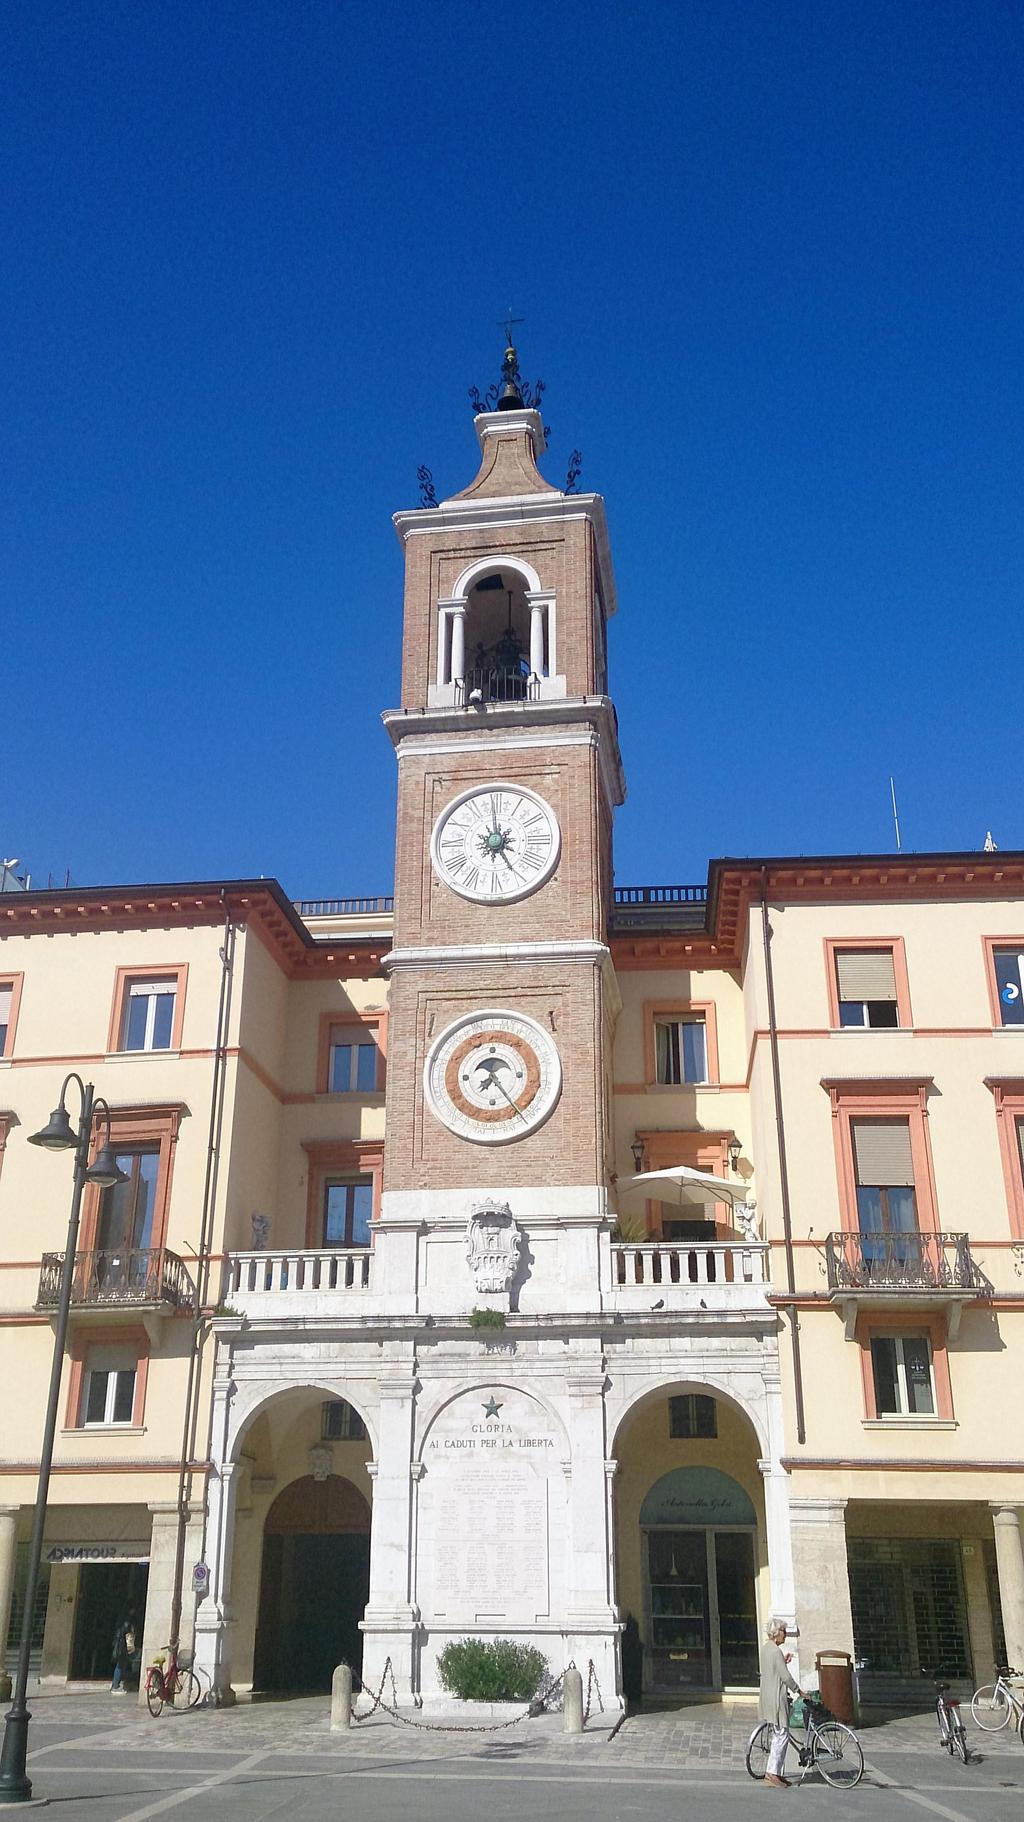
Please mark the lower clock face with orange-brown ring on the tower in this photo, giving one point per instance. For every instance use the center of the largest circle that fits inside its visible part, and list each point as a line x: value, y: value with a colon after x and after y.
x: 493, y: 1078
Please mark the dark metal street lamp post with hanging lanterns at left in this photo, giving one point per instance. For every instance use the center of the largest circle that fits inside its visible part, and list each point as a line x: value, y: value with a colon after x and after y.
x: 105, y: 1171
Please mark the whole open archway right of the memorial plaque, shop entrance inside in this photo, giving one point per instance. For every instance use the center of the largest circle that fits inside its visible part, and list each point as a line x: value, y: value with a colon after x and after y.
x: 691, y: 1557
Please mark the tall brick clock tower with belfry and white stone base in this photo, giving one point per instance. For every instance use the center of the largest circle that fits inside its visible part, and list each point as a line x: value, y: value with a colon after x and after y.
x: 498, y: 1118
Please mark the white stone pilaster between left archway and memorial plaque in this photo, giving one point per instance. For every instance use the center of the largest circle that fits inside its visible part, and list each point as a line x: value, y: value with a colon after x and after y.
x: 391, y: 1617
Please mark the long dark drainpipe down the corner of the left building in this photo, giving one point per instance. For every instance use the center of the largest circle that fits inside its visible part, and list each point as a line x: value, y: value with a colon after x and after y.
x: 201, y: 1278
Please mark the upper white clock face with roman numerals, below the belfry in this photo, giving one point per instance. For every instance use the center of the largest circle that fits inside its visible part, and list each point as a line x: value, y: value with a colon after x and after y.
x: 497, y: 843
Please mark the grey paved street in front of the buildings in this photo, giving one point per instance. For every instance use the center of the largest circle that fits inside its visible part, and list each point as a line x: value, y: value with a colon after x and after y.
x: 101, y: 1759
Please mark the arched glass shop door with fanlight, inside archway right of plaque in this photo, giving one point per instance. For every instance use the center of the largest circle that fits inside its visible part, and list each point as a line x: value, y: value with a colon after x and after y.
x: 702, y: 1626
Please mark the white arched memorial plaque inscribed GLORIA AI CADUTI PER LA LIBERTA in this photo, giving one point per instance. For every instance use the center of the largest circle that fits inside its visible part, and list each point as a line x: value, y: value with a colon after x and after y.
x: 487, y: 1502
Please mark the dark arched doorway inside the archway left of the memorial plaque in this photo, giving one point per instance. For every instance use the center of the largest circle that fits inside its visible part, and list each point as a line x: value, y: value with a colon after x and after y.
x: 314, y: 1586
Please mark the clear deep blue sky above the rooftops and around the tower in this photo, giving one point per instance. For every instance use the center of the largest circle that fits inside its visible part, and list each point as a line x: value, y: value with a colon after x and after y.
x: 770, y: 265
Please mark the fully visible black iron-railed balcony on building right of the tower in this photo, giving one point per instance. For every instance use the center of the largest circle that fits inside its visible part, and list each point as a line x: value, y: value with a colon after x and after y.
x: 881, y: 1271
